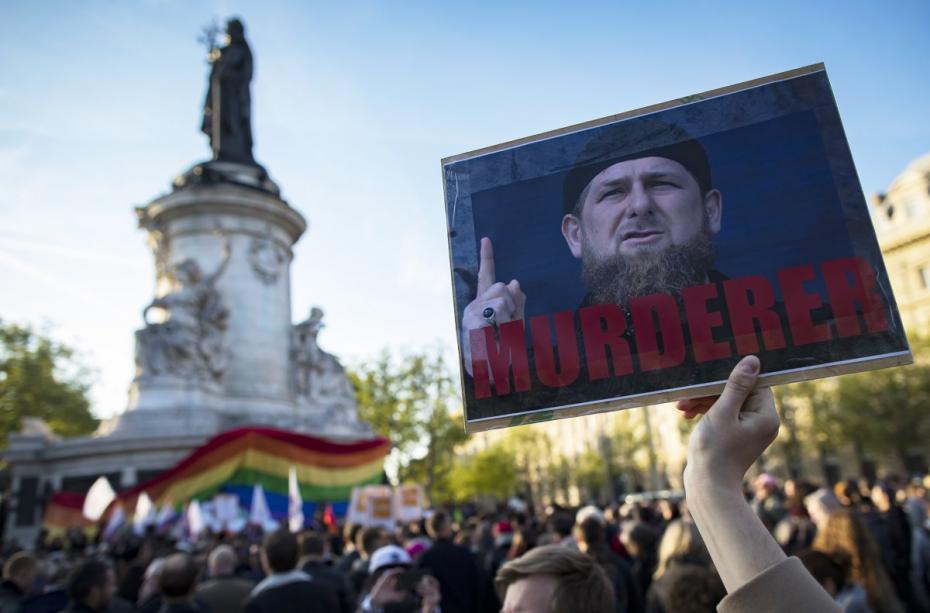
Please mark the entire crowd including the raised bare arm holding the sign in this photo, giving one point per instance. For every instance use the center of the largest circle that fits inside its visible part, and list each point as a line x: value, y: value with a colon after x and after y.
x: 867, y: 545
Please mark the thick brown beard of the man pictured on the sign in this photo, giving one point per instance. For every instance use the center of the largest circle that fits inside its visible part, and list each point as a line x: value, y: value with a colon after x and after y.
x: 616, y: 279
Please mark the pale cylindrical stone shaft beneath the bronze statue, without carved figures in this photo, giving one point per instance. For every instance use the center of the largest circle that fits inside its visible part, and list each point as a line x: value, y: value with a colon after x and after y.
x: 200, y: 223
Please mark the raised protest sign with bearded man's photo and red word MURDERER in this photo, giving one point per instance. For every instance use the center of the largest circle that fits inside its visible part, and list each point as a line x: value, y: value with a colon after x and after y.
x: 634, y: 259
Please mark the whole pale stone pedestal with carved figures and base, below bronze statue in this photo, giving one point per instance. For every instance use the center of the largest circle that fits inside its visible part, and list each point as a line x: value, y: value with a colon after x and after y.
x: 218, y: 349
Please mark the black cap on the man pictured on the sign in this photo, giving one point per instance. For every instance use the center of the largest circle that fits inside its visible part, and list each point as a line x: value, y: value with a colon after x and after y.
x: 630, y: 140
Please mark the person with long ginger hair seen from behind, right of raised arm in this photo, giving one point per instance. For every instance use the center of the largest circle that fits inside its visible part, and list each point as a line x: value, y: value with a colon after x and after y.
x: 845, y: 532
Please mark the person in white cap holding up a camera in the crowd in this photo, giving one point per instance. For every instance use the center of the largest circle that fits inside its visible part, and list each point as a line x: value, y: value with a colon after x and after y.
x: 394, y: 586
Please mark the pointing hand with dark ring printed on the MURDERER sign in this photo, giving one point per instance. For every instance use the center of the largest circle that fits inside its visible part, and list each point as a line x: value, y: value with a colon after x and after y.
x: 495, y: 302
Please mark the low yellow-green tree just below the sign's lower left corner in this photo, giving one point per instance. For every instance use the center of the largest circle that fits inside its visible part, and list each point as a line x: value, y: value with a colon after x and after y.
x: 489, y: 472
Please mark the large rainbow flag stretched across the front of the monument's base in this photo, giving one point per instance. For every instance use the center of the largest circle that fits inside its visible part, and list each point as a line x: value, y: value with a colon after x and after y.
x: 236, y: 460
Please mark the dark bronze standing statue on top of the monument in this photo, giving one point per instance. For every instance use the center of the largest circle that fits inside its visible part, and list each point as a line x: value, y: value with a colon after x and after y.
x: 227, y: 111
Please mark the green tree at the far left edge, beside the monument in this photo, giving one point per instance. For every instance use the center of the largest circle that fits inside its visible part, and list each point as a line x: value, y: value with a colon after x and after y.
x: 42, y: 378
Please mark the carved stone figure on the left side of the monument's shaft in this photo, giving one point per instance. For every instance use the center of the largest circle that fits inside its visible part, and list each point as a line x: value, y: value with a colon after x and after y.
x: 189, y: 340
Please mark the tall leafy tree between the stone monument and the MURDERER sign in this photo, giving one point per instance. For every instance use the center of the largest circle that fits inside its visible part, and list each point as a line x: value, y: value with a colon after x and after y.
x: 412, y: 400
